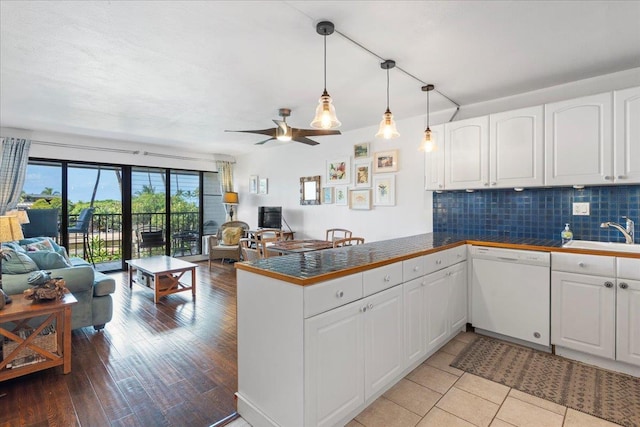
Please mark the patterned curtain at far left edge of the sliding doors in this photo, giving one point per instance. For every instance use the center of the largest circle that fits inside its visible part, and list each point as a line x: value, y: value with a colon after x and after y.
x: 13, y: 167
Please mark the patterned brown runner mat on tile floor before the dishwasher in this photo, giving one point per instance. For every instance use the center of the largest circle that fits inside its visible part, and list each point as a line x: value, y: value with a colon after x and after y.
x: 605, y: 394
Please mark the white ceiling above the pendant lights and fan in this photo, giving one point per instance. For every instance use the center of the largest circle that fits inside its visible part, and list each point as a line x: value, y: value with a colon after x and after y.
x: 180, y: 73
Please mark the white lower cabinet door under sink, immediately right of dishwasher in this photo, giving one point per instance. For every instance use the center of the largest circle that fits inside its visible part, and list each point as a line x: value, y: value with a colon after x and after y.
x: 583, y: 313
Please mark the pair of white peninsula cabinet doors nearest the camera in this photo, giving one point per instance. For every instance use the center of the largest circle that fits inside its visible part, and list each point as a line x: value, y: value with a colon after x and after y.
x: 351, y: 353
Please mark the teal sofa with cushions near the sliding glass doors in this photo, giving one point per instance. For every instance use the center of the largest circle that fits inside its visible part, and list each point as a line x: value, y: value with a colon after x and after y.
x: 91, y: 288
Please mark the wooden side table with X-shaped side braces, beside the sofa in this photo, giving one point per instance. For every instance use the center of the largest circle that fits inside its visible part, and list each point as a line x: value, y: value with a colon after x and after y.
x: 19, y: 312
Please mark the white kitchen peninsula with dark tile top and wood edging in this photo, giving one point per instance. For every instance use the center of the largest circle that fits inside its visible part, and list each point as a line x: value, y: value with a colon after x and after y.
x: 323, y: 334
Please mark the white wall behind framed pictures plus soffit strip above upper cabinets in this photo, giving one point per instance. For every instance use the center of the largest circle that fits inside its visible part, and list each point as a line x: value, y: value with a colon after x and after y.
x: 284, y: 164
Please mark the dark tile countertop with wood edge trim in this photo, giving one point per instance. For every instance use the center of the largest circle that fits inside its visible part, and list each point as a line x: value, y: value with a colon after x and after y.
x: 317, y: 266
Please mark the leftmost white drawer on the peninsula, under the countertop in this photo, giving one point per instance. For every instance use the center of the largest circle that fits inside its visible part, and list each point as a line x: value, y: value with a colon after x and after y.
x: 331, y: 294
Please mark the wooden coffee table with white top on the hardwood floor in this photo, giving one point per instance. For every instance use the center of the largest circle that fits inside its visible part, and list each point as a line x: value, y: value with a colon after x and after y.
x: 165, y: 272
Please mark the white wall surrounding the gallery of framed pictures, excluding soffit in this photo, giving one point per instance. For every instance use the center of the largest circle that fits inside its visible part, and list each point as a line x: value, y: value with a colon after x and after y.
x: 285, y: 164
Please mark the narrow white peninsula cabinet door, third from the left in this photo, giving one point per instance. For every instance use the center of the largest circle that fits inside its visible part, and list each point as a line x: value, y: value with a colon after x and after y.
x: 414, y: 320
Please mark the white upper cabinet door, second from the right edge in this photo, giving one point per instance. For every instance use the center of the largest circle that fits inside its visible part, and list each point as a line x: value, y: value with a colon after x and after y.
x: 579, y: 141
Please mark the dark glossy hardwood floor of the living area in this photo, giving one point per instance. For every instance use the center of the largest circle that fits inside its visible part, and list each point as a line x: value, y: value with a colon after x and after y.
x: 170, y: 364
